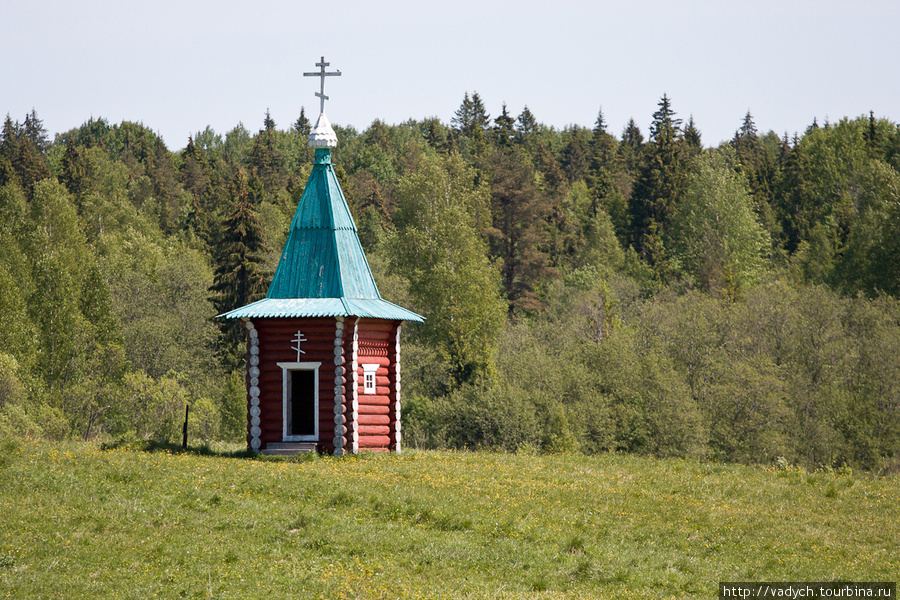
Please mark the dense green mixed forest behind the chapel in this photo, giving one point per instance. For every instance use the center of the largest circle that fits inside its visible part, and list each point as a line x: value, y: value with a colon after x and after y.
x: 585, y: 290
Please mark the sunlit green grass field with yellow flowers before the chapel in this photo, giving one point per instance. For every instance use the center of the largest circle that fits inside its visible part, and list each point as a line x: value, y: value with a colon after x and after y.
x: 81, y: 522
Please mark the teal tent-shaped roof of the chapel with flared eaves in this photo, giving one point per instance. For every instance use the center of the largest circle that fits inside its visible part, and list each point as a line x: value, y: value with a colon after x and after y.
x: 323, y: 270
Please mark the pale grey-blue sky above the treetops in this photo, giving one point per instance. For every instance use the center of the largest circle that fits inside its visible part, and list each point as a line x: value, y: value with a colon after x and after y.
x: 178, y: 66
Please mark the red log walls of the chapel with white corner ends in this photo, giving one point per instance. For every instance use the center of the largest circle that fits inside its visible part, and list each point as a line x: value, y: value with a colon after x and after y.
x: 350, y: 417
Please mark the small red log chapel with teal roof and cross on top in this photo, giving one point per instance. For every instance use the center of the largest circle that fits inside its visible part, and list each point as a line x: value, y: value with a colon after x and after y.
x: 323, y: 347
